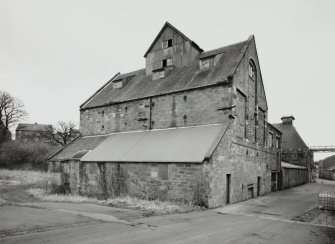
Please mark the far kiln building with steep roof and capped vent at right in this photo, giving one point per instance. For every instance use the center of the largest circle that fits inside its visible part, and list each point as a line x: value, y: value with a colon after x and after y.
x: 297, y: 165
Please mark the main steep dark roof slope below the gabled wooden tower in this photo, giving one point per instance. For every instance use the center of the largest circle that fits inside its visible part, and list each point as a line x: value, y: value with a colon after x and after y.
x: 178, y: 79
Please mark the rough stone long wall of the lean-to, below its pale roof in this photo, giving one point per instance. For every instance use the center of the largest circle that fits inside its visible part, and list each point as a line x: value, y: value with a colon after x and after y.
x: 166, y: 181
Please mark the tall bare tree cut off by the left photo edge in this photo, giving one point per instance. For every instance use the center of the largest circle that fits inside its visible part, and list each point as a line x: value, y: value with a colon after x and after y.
x: 12, y: 111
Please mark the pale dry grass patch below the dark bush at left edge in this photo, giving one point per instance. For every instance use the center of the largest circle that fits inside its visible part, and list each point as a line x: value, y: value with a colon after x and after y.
x: 22, y: 177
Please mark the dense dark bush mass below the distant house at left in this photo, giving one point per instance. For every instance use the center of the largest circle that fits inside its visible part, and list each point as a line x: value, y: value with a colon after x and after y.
x: 18, y: 155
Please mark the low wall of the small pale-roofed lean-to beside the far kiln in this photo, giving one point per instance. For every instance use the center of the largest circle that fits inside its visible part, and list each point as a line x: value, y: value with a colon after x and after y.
x: 292, y: 177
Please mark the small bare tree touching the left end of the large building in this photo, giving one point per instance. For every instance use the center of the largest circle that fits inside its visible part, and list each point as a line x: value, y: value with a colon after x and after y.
x: 63, y: 132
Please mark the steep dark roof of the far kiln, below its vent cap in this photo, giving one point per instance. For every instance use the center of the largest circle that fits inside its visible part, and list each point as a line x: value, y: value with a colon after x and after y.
x: 291, y: 138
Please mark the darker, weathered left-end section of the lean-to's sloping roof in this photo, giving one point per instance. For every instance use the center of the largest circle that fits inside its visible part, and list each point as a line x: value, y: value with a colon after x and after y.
x: 77, y: 148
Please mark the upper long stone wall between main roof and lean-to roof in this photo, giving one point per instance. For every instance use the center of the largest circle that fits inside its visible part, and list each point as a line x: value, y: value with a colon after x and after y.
x: 196, y: 107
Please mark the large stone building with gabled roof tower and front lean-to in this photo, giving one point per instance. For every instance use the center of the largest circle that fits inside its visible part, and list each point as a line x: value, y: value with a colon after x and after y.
x: 190, y: 126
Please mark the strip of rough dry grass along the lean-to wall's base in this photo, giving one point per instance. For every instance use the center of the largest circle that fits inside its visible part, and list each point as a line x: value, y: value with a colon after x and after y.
x: 150, y: 207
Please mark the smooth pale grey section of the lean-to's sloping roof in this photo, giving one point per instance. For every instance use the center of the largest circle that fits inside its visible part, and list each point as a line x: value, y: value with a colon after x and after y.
x: 173, y: 145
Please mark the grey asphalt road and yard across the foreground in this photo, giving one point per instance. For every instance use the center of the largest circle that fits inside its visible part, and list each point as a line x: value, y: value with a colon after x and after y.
x: 268, y: 219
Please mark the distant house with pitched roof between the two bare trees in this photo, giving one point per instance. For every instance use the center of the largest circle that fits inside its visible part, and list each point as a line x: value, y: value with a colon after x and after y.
x: 33, y: 133
